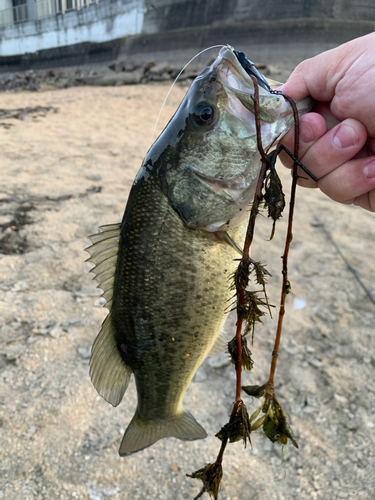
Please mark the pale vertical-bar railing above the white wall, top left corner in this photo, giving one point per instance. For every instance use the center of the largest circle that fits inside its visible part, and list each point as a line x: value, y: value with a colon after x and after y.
x: 40, y: 9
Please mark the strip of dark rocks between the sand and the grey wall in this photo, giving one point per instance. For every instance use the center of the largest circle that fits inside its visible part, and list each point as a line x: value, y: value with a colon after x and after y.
x: 129, y: 70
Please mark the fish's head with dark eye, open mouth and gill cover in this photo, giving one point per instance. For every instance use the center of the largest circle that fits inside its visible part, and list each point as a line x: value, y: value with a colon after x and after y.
x: 207, y: 159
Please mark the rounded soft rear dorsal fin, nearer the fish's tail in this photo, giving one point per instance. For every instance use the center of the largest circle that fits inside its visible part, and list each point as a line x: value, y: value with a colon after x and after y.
x: 108, y: 371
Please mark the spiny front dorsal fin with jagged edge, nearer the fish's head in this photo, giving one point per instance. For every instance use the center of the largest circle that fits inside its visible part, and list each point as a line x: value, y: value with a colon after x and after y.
x: 103, y: 253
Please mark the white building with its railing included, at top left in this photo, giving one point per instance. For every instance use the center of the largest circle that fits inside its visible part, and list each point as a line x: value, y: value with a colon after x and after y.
x: 31, y: 26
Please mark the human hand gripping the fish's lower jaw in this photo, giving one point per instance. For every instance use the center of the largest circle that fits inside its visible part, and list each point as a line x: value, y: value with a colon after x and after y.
x: 342, y: 157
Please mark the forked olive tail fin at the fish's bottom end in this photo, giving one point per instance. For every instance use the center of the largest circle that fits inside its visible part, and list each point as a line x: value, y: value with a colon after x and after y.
x: 143, y: 433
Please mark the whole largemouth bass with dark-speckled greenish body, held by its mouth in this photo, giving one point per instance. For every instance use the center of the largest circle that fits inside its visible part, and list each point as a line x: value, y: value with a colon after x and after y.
x: 165, y: 268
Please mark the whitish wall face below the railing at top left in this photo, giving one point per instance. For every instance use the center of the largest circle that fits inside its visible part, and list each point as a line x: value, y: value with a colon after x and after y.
x: 102, y: 22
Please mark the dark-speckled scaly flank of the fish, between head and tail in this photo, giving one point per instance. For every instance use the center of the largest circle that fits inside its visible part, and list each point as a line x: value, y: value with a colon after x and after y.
x: 173, y: 275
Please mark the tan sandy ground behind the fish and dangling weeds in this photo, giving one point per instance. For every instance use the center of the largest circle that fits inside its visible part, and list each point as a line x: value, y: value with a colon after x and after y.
x: 63, y: 174
